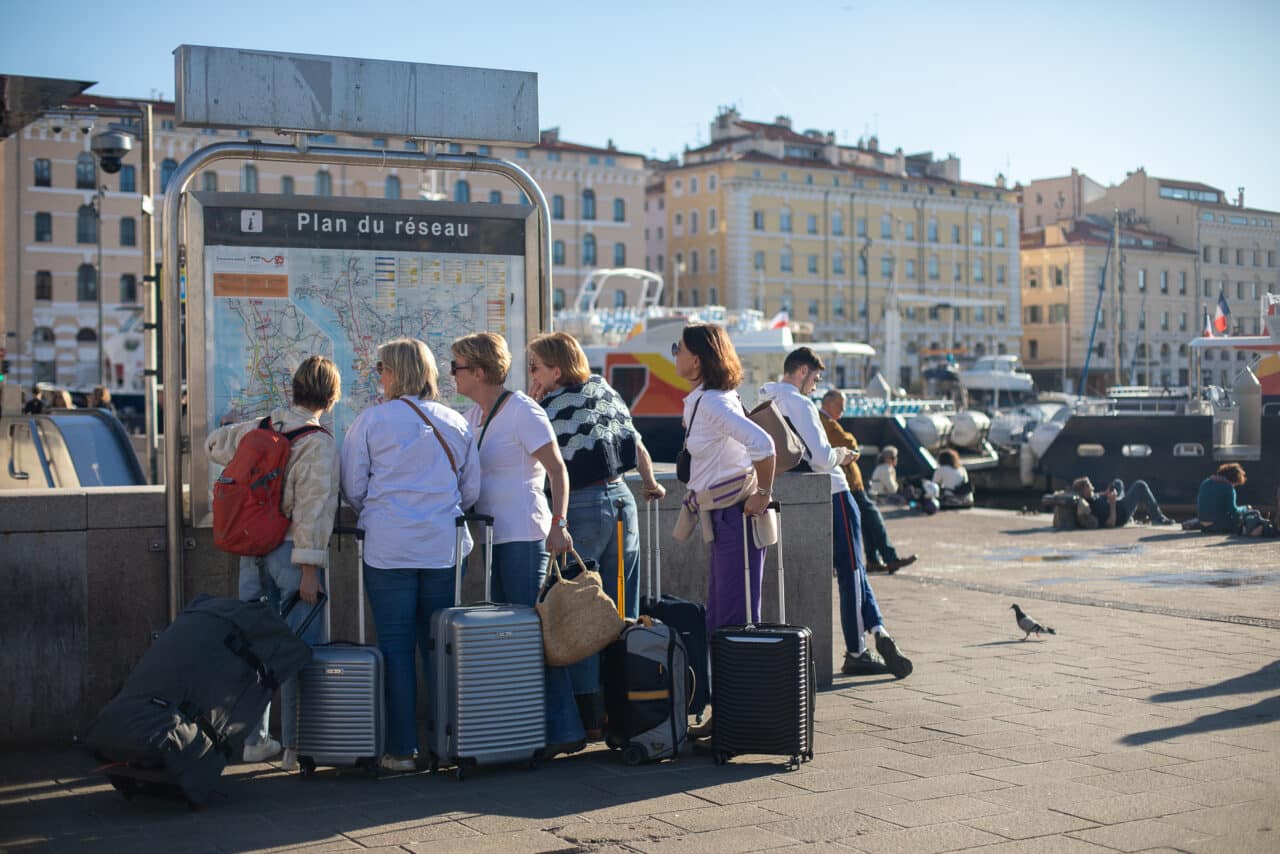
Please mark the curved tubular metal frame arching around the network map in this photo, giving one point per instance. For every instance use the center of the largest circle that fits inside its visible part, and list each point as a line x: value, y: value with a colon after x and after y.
x: 173, y: 341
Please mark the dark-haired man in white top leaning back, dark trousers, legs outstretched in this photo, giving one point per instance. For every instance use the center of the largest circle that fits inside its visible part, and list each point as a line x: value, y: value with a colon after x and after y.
x: 858, y: 610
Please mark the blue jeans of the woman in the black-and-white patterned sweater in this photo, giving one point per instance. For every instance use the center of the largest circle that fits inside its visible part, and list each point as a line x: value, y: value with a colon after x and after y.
x: 593, y: 523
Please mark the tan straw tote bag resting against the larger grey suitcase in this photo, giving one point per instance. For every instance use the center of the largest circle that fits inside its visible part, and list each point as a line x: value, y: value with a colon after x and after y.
x: 579, y: 619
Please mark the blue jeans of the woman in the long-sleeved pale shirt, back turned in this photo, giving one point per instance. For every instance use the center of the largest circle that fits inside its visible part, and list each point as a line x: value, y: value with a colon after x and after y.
x: 403, y: 602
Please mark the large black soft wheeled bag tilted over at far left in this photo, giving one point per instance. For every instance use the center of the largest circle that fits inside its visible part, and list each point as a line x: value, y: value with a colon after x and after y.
x: 185, y: 710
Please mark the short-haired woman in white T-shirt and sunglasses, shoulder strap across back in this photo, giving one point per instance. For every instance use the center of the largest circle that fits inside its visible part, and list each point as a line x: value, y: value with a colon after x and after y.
x: 518, y: 451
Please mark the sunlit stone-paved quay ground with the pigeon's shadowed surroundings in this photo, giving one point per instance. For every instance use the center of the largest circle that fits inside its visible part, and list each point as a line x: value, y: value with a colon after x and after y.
x: 1148, y: 724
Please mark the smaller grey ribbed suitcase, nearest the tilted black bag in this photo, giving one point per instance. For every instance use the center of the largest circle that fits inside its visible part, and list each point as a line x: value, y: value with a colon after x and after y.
x: 342, y: 716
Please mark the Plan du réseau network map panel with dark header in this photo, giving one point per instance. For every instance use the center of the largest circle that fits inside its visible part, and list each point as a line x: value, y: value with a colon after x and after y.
x: 273, y: 280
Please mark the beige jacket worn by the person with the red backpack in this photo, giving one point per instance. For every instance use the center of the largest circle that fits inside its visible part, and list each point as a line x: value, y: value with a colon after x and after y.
x: 310, y: 481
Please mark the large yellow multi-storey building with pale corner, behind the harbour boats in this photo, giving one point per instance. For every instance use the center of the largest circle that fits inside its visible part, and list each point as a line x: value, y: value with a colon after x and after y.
x: 769, y: 218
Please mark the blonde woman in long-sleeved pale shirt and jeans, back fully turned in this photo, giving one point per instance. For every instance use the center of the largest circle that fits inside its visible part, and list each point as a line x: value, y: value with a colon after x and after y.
x: 409, y: 468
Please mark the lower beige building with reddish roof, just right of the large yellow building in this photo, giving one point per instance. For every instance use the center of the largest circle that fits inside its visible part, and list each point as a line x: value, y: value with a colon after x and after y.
x: 1144, y: 326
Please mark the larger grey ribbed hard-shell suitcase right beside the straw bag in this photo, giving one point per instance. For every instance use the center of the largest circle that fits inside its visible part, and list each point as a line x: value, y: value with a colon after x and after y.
x: 490, y: 692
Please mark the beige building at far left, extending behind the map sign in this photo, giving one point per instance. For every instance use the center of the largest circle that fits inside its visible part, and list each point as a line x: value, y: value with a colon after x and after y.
x: 49, y: 225
